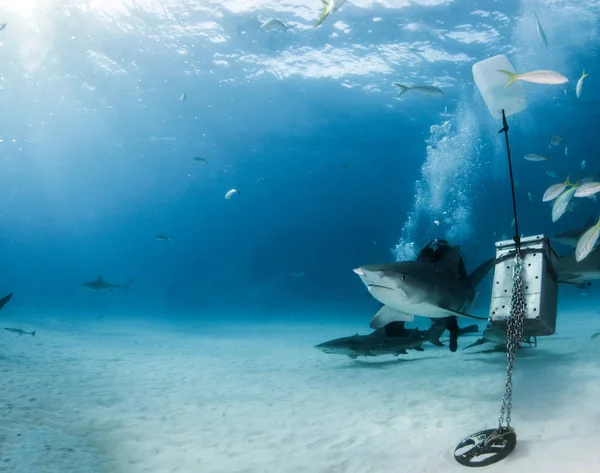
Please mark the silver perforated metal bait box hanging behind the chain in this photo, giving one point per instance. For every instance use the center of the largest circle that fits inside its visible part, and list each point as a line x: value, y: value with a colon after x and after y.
x: 539, y: 284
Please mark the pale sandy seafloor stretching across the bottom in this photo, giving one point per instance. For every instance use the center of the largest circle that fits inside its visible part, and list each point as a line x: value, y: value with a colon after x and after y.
x: 126, y: 395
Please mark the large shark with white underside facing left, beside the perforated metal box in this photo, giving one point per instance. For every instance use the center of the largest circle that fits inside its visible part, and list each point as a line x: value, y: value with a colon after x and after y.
x: 423, y: 288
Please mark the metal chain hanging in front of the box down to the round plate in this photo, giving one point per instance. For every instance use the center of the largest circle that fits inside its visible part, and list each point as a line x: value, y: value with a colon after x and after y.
x: 514, y: 335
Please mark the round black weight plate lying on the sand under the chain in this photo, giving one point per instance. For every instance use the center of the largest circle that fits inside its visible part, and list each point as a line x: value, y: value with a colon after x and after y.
x: 486, y: 447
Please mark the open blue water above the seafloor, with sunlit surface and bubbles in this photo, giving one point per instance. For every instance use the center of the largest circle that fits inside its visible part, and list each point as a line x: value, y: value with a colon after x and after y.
x: 97, y: 148
